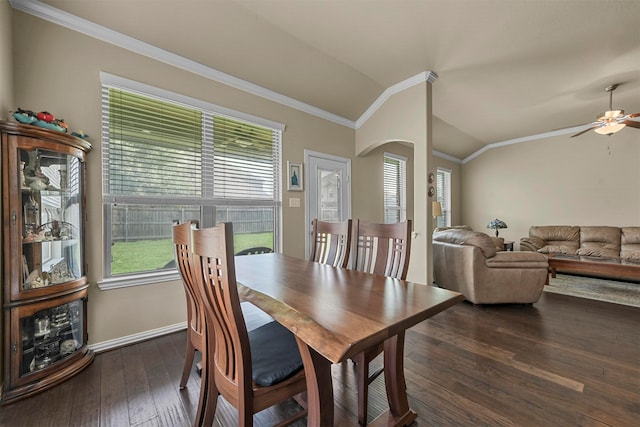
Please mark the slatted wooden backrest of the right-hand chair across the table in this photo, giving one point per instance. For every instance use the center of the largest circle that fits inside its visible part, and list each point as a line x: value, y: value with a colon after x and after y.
x: 383, y: 248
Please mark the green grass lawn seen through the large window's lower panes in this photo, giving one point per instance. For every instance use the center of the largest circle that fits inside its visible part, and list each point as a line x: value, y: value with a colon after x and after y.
x: 149, y: 255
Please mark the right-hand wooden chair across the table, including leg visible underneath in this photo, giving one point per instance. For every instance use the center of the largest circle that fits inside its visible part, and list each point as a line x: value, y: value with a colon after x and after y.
x: 382, y: 249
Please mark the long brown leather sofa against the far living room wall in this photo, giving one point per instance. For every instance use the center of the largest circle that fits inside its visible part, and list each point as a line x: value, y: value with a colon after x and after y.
x: 601, y: 251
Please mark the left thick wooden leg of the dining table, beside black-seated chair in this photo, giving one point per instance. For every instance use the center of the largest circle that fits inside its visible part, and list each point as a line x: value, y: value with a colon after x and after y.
x: 317, y: 371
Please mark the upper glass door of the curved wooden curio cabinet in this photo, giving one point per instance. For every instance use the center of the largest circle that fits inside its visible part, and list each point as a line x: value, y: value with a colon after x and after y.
x: 51, y: 198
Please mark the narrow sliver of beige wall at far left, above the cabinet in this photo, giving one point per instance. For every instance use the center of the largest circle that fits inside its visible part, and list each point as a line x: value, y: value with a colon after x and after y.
x: 6, y: 61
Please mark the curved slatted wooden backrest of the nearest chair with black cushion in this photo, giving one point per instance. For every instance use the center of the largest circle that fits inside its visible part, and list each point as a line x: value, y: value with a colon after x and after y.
x: 216, y: 280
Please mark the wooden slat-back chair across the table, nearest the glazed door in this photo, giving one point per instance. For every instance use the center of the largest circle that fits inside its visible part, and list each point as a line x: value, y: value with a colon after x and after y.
x: 331, y: 242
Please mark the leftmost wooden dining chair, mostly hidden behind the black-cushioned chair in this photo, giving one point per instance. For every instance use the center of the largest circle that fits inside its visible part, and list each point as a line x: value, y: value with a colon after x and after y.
x: 196, y: 326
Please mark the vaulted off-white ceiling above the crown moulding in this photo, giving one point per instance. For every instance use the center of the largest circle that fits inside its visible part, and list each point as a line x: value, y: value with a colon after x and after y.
x: 507, y: 68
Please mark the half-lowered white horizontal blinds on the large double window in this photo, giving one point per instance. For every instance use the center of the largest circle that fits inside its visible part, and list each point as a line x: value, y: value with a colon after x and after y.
x: 154, y: 149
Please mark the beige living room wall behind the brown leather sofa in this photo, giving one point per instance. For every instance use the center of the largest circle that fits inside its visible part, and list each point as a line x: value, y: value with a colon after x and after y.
x: 588, y: 180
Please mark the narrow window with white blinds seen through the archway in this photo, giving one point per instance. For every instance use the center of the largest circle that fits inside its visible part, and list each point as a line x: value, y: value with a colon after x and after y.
x: 395, y: 188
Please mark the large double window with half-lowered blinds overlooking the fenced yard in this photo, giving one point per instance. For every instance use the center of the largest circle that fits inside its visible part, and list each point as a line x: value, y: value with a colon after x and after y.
x: 166, y: 160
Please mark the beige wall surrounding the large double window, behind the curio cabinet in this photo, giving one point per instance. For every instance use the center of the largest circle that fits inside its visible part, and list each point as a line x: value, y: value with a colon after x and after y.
x: 68, y: 85
